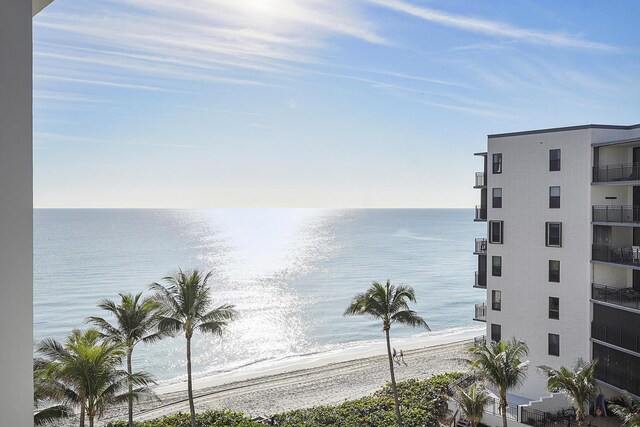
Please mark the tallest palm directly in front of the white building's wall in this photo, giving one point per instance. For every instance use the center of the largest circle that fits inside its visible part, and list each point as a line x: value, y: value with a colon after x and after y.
x: 502, y: 365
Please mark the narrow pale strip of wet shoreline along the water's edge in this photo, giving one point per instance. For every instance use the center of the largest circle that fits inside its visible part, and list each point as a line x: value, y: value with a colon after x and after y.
x: 296, y: 363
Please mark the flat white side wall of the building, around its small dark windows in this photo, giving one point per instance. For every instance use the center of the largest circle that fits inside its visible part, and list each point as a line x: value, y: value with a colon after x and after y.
x: 525, y: 183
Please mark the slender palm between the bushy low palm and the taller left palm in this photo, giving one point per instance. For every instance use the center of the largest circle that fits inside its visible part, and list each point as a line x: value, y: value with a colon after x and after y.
x: 136, y: 320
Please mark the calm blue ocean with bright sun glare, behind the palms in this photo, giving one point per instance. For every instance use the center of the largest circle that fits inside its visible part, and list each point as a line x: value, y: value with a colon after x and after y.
x: 290, y: 273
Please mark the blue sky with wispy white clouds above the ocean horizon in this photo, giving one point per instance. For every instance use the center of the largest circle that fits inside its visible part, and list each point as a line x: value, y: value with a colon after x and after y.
x: 311, y: 103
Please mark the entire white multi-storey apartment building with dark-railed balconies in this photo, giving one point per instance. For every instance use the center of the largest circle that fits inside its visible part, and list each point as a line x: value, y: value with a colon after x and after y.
x: 561, y: 258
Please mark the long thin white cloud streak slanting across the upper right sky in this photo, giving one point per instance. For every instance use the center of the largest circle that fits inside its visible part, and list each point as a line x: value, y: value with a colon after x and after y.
x: 495, y: 28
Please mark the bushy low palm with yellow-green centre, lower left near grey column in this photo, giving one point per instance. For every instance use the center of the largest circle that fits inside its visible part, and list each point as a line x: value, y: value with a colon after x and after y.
x: 87, y: 369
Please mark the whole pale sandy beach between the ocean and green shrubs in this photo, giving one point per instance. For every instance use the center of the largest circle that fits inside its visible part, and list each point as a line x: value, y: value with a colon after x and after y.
x: 327, y: 379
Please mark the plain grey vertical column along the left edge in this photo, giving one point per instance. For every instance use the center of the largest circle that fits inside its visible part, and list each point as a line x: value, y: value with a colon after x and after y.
x: 16, y: 215
